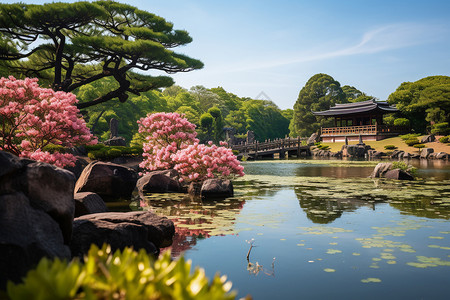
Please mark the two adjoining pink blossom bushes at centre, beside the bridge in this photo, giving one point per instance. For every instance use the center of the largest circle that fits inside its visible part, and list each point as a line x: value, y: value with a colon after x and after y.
x: 171, y: 143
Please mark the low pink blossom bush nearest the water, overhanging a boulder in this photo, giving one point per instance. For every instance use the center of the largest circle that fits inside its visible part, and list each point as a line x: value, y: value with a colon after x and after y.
x: 199, y: 162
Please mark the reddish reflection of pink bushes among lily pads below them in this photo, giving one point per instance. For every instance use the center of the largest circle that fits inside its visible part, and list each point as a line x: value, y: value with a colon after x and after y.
x: 193, y: 218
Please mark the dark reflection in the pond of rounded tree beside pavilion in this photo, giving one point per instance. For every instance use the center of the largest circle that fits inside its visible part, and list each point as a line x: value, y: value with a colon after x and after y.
x: 324, y: 211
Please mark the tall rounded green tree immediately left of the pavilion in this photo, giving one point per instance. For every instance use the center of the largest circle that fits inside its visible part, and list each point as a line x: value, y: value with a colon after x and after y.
x: 320, y: 93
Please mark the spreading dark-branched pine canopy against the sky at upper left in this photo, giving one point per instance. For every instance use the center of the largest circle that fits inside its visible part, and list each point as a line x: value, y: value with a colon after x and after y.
x: 70, y: 45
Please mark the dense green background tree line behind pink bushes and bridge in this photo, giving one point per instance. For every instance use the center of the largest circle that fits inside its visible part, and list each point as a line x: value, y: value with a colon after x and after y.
x: 211, y: 110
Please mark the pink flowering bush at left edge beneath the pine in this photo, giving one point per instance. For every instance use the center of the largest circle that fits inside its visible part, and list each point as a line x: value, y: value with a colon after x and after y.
x: 32, y: 118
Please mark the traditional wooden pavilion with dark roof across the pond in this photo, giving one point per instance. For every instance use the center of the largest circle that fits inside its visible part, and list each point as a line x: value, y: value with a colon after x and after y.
x: 361, y: 119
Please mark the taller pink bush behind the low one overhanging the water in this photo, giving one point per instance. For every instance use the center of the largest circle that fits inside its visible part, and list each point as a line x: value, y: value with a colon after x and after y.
x: 165, y: 134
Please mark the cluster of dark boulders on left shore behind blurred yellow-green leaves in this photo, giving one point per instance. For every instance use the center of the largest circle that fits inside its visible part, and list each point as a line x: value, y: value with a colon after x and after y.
x: 38, y: 208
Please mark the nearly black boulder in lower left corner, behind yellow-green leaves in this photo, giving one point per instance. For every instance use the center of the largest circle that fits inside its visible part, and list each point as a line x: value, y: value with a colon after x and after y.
x: 27, y: 234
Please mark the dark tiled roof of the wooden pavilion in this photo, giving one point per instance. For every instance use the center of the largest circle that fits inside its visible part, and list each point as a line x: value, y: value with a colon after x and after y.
x: 357, y: 108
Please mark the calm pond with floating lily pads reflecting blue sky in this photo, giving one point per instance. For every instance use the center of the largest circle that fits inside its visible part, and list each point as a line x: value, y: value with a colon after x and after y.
x: 321, y: 229
